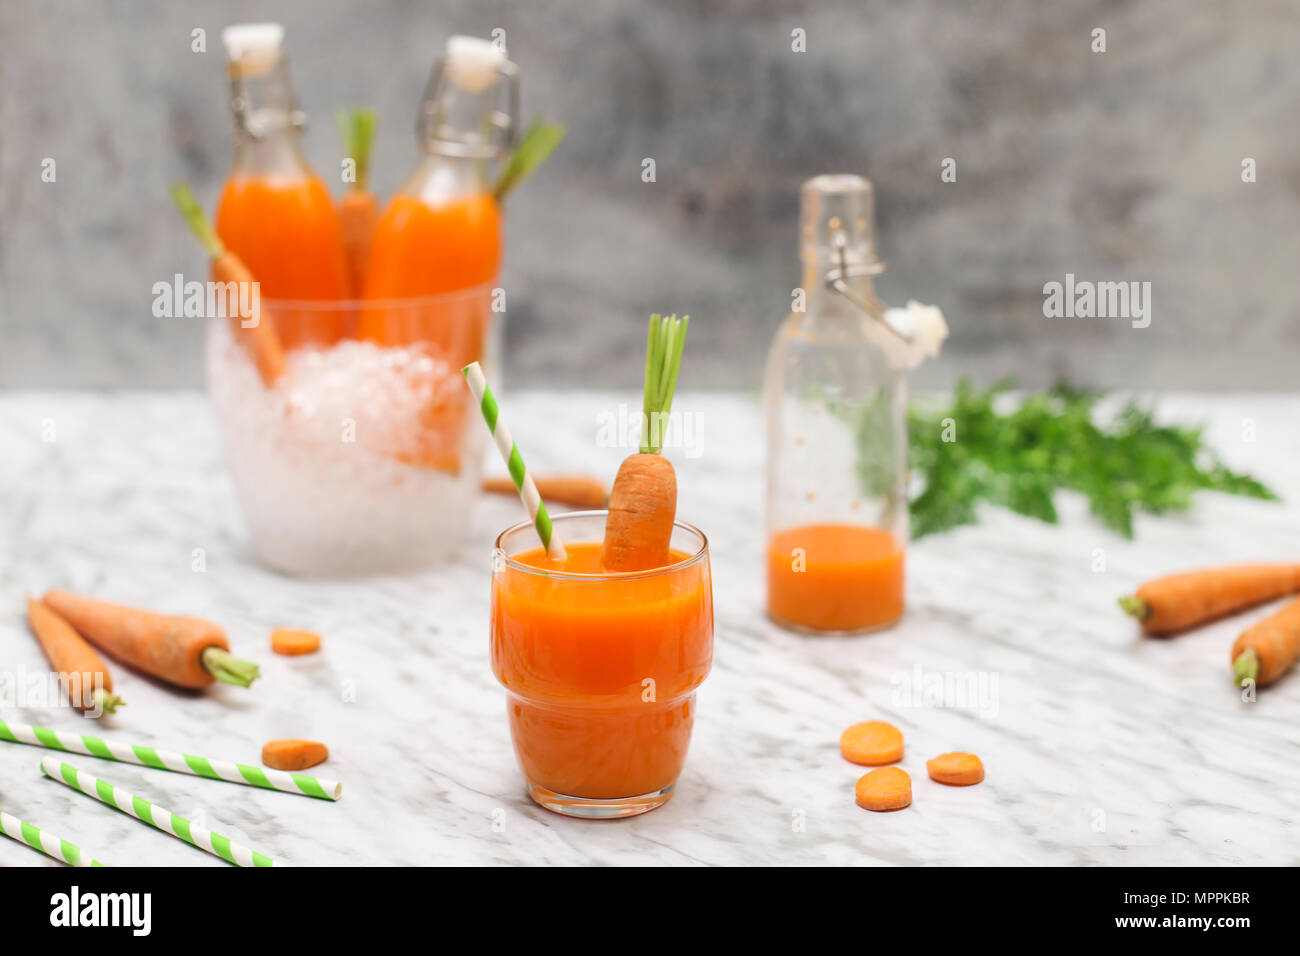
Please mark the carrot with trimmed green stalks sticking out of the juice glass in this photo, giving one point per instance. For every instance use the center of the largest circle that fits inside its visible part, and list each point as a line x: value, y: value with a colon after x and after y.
x: 644, y: 501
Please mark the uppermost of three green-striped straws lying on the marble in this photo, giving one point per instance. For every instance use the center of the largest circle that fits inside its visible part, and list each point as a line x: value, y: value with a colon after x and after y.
x: 171, y: 760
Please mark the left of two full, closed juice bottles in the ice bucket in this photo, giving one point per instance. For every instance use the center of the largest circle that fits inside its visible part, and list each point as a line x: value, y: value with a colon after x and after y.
x: 275, y: 211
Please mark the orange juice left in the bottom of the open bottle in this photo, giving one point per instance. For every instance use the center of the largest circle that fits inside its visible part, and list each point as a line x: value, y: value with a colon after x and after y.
x: 835, y: 578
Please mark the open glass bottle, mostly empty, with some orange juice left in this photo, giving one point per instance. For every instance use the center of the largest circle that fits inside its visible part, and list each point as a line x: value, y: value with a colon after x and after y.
x: 837, y: 431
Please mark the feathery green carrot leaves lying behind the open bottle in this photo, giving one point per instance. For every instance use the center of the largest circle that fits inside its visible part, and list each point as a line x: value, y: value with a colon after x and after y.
x: 969, y: 453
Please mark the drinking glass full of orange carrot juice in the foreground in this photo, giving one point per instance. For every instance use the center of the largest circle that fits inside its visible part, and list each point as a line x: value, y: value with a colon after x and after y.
x: 601, y: 669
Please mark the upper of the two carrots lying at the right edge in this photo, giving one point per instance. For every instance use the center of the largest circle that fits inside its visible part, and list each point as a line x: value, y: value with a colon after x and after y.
x: 1177, y: 603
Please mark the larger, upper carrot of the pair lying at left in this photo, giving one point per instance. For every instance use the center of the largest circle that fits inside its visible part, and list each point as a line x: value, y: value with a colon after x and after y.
x: 188, y: 652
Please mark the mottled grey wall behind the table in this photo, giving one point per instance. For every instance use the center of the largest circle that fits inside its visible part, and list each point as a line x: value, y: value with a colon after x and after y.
x: 1116, y: 166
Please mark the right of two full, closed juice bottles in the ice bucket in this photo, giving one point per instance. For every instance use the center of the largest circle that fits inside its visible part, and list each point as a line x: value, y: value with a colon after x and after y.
x: 437, y: 248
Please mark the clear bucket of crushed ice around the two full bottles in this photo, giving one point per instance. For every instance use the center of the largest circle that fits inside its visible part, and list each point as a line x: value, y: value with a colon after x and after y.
x: 362, y: 458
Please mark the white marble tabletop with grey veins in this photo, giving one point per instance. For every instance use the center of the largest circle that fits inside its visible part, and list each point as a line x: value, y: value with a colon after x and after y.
x: 1100, y: 747
